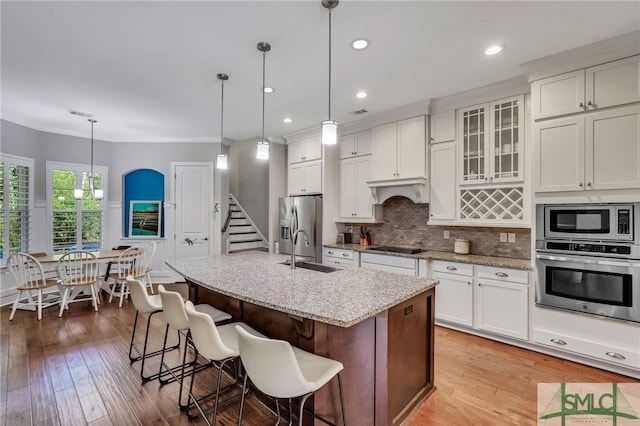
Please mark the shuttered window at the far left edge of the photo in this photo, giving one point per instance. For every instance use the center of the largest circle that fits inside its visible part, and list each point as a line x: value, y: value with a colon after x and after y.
x: 16, y: 203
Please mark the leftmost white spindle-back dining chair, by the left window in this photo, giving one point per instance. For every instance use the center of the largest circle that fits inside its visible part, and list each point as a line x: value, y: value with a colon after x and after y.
x: 30, y: 278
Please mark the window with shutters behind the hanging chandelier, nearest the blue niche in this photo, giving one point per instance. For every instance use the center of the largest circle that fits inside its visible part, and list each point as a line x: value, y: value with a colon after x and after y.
x: 75, y: 224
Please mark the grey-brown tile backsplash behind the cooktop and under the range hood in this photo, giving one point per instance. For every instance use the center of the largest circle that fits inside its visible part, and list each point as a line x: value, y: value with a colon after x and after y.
x: 405, y: 224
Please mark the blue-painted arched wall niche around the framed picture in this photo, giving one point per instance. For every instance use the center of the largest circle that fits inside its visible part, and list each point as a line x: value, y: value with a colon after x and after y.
x: 142, y: 185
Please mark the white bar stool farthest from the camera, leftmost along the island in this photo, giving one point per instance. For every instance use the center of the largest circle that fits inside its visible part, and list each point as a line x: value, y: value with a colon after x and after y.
x: 149, y: 305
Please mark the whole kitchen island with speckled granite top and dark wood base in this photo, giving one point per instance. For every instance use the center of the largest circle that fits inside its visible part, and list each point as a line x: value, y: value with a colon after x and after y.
x: 378, y: 324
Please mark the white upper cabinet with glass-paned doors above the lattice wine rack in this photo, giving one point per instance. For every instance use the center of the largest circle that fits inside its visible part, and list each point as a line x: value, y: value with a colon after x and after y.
x: 492, y: 142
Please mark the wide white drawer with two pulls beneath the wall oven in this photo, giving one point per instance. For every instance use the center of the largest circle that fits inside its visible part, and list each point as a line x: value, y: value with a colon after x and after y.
x: 604, y: 352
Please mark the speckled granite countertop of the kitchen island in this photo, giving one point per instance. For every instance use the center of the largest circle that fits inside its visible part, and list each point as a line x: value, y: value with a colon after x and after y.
x: 343, y: 298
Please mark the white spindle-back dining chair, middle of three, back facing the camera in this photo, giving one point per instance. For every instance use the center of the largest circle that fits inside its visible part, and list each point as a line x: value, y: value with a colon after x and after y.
x: 78, y: 271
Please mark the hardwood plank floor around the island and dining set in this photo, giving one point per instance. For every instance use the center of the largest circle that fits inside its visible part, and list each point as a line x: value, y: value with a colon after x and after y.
x: 74, y: 370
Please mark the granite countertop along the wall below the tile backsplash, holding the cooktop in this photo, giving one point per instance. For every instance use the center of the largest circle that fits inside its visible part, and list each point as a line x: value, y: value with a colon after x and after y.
x: 501, y: 262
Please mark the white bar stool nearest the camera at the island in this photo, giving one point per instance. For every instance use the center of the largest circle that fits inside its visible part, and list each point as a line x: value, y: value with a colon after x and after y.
x: 282, y: 371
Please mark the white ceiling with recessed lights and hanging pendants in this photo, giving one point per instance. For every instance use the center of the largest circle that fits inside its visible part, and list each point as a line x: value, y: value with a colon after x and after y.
x: 147, y: 70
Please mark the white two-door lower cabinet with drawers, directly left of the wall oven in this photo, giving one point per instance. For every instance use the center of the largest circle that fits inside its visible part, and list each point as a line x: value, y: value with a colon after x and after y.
x: 491, y: 299
